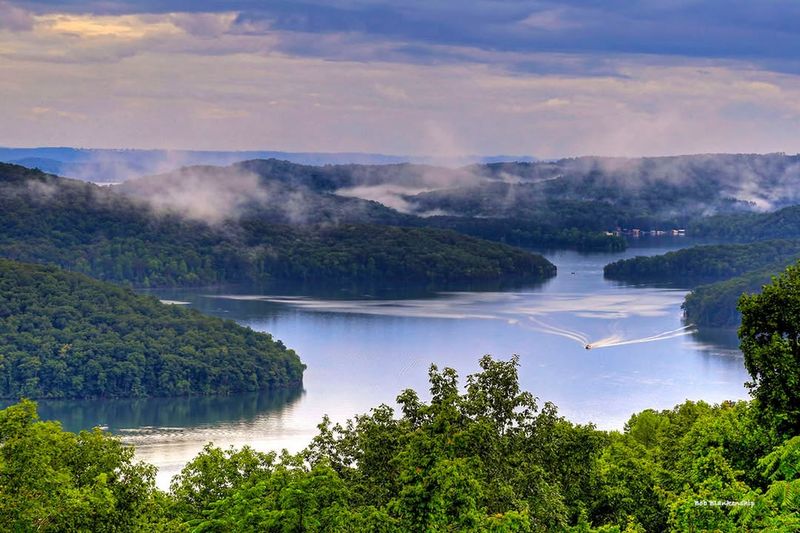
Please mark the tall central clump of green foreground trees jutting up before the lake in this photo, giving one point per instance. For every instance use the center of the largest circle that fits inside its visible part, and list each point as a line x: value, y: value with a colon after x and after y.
x: 482, y: 460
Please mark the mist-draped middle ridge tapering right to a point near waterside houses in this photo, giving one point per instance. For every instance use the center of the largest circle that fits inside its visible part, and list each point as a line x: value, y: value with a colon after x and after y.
x: 288, y: 193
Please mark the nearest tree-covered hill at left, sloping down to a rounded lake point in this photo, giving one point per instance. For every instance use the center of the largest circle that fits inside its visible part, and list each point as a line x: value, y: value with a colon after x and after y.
x: 64, y: 335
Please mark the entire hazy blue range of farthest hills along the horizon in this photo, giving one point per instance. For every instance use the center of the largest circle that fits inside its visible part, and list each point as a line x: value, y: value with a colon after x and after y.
x: 585, y: 193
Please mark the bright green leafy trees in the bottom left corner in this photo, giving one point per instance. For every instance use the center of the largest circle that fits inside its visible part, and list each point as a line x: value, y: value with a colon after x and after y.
x: 52, y: 480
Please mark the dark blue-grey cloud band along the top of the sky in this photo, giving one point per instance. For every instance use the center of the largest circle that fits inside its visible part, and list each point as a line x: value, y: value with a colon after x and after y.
x: 718, y: 29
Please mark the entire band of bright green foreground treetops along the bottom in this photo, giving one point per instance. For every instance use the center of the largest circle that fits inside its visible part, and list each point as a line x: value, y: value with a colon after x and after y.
x: 486, y: 457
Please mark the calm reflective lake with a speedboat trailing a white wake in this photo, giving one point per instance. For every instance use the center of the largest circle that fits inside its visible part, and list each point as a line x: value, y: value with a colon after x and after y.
x: 362, y: 350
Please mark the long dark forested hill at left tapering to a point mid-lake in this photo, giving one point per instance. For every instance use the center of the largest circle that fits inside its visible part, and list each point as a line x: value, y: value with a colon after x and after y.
x: 94, y: 230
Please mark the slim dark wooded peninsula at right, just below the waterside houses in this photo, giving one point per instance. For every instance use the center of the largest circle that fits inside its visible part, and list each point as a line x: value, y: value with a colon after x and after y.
x: 703, y: 264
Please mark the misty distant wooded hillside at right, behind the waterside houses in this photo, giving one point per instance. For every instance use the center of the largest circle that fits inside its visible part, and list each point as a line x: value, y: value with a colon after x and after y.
x: 602, y: 193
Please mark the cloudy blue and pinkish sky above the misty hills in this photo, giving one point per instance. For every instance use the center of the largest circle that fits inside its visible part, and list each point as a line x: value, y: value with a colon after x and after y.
x: 427, y: 78
